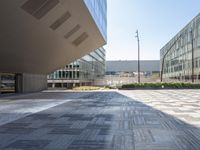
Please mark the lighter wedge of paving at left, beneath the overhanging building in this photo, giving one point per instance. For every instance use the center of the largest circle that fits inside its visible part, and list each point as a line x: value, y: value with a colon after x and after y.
x: 17, y: 106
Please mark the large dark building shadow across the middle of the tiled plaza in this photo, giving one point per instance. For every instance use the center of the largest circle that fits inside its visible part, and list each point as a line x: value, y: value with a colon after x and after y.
x: 98, y: 121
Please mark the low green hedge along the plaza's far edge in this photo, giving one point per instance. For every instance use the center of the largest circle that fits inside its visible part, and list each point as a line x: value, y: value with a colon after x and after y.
x: 161, y: 86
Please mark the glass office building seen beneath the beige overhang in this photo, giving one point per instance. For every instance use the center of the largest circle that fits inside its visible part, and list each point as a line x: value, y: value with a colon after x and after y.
x: 80, y: 72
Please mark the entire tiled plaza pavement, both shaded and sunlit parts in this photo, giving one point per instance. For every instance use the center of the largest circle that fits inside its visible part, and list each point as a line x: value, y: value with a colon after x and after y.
x: 118, y: 120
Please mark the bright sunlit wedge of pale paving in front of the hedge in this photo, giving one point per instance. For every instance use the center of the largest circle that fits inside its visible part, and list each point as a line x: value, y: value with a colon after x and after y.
x: 181, y: 104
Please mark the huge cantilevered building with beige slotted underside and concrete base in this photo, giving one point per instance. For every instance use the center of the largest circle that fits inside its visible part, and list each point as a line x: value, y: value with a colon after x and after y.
x: 40, y: 36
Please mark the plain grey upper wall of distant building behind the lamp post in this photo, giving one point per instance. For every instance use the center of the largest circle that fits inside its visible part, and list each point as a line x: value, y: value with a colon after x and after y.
x: 130, y: 66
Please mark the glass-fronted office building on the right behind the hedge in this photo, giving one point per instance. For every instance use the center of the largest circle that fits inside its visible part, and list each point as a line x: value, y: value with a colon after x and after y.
x: 180, y: 57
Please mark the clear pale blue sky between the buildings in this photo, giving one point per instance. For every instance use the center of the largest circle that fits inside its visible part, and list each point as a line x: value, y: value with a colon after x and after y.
x: 157, y: 21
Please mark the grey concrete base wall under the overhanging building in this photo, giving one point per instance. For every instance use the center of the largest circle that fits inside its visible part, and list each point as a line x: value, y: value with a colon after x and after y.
x: 33, y: 82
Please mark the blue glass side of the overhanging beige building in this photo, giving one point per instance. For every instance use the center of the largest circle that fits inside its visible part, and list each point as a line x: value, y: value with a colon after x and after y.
x: 98, y: 10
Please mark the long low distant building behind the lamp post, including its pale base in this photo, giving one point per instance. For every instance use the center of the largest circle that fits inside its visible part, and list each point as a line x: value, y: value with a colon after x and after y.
x: 126, y: 71
